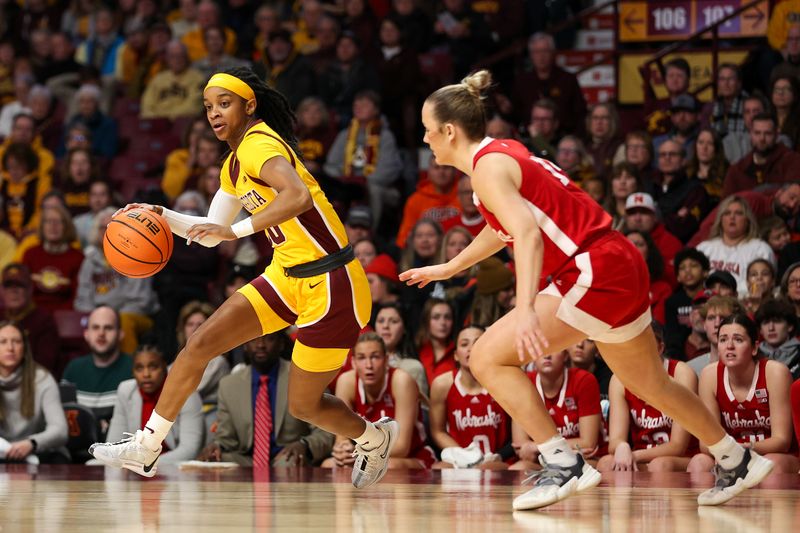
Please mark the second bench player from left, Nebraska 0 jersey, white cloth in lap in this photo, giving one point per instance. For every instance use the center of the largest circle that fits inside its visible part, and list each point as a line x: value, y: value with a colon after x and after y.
x: 466, y: 423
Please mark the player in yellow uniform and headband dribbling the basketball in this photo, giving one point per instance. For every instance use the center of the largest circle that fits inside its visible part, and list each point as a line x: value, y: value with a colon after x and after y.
x: 313, y: 281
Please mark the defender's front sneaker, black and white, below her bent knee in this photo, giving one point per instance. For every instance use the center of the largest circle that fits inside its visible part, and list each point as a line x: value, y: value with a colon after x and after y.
x: 554, y: 483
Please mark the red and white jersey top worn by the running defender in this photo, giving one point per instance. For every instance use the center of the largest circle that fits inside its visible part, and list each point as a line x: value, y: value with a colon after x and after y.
x: 569, y: 218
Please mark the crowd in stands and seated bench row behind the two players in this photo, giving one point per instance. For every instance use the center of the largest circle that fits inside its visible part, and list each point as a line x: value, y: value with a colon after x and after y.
x: 102, y: 105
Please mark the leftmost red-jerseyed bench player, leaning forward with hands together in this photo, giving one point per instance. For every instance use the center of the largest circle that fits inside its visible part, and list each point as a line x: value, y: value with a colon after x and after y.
x: 375, y: 390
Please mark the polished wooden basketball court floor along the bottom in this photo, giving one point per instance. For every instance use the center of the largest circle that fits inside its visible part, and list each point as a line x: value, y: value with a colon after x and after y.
x: 93, y: 499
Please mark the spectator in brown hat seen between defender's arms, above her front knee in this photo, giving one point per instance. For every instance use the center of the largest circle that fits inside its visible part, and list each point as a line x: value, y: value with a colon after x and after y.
x: 494, y: 292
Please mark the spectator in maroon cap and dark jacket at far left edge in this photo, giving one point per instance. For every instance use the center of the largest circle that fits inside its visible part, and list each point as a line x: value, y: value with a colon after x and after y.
x: 19, y: 307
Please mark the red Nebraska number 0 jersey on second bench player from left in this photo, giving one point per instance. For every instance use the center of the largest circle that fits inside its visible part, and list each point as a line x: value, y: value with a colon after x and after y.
x: 475, y: 418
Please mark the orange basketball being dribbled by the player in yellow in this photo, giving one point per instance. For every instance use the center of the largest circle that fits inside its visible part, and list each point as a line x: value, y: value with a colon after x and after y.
x: 138, y: 243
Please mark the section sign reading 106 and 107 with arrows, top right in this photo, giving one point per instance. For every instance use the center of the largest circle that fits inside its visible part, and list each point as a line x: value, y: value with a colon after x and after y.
x: 678, y: 19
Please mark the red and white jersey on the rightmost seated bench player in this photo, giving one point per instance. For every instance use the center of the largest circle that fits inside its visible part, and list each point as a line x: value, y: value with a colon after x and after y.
x: 749, y: 420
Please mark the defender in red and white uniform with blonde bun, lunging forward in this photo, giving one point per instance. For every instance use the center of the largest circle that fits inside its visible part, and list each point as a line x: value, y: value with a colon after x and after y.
x: 599, y: 290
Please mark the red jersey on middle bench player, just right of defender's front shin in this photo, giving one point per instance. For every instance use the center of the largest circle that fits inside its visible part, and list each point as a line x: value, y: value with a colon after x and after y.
x: 579, y: 396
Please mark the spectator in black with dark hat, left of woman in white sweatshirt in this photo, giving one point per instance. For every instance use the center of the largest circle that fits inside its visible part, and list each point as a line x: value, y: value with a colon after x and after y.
x: 691, y: 267
